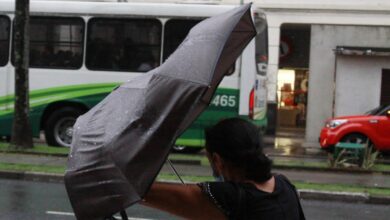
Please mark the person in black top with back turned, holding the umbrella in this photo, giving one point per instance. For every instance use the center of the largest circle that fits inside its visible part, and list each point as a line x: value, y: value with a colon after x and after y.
x: 245, y: 187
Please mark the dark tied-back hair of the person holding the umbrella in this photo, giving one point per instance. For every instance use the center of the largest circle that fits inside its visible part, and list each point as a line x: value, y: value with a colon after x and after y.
x: 239, y: 143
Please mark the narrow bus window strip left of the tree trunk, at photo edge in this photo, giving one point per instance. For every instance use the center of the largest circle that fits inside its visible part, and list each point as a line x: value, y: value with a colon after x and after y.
x: 4, y: 40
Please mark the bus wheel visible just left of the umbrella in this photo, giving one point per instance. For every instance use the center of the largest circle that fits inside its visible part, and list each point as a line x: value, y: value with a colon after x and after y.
x: 59, y: 126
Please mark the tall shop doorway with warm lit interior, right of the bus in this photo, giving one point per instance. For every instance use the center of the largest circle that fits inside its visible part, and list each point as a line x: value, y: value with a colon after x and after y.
x: 292, y: 82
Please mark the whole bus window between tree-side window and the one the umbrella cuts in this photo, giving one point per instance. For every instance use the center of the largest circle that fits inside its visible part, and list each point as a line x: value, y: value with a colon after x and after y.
x: 123, y: 44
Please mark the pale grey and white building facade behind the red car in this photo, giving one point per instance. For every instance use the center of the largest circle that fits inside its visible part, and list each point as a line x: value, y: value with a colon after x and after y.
x: 338, y: 83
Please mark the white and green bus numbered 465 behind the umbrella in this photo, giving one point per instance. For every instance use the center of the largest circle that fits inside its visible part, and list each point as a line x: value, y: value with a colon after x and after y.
x: 80, y: 51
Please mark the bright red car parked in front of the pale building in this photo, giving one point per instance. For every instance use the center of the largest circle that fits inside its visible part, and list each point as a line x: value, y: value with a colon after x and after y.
x: 374, y: 126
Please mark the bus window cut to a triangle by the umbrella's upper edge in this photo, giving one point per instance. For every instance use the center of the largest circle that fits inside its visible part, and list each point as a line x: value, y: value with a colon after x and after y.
x: 175, y: 32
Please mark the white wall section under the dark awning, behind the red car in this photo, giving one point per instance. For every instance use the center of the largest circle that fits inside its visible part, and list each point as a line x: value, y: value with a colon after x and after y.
x: 358, y: 83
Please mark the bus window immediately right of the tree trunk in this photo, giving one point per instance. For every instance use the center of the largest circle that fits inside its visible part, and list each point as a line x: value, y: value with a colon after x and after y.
x: 56, y: 42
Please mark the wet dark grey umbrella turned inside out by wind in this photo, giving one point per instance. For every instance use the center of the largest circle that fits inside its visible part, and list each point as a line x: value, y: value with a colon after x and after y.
x: 120, y: 145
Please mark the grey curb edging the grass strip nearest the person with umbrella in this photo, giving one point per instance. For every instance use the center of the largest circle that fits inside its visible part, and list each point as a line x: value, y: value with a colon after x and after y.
x: 304, y: 193
